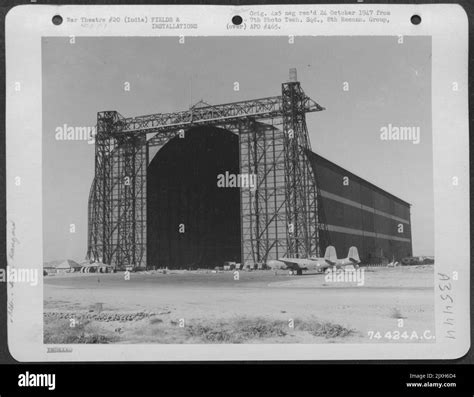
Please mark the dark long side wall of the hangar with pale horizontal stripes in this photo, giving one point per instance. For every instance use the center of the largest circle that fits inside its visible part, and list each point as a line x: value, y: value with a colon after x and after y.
x: 361, y: 214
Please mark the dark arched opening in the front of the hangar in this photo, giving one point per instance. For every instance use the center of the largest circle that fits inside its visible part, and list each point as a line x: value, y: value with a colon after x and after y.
x: 191, y: 222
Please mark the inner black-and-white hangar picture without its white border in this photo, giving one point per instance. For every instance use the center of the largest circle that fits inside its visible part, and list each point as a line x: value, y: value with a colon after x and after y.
x: 242, y: 190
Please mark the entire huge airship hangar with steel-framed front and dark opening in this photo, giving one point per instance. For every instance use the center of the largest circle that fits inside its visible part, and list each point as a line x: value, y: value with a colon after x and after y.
x: 155, y: 200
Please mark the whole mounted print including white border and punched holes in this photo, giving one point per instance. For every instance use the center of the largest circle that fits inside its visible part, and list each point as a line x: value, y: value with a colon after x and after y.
x: 203, y: 183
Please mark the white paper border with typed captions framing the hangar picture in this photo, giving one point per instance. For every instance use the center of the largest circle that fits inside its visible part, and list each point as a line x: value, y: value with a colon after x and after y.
x: 448, y: 27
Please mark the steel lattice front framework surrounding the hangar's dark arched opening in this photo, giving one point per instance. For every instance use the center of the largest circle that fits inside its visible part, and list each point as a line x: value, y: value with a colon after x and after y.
x: 280, y: 216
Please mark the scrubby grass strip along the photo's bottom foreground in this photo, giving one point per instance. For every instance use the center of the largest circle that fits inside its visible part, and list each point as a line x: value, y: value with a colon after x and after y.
x: 155, y: 330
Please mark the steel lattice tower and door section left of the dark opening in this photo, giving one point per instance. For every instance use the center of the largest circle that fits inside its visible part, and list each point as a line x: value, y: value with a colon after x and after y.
x: 117, y: 206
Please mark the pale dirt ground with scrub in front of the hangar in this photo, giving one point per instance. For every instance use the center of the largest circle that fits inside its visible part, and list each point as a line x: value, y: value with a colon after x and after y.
x: 260, y: 307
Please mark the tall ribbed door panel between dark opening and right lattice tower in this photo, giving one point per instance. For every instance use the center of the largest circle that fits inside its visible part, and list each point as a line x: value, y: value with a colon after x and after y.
x: 262, y: 209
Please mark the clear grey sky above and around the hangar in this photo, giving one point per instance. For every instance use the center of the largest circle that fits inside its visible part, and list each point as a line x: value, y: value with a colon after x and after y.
x: 389, y: 83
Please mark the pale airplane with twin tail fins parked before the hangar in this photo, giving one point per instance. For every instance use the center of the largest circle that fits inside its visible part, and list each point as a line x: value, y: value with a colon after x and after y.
x: 330, y: 260
